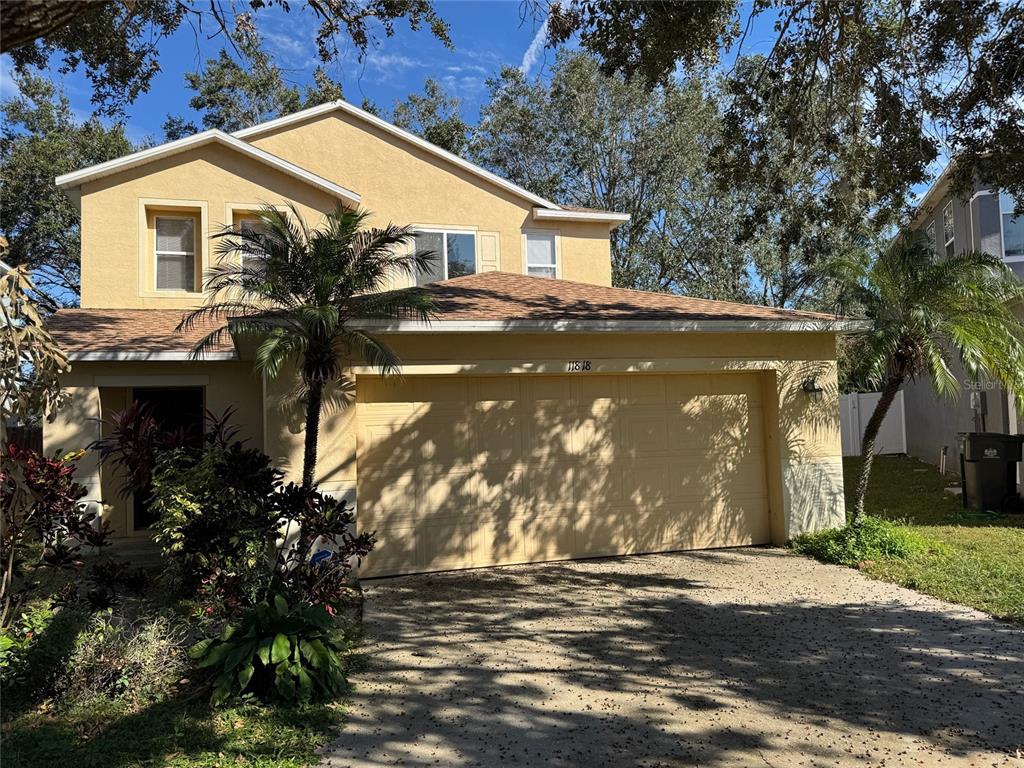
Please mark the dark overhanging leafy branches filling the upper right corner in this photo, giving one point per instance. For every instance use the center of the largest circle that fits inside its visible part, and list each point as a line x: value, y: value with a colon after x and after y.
x: 915, y: 79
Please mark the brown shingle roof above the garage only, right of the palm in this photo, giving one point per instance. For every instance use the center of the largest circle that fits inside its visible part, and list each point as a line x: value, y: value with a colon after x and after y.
x: 502, y: 296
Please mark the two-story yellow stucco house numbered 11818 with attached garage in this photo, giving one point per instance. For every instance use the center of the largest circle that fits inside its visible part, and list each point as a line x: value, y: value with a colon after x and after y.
x: 542, y: 415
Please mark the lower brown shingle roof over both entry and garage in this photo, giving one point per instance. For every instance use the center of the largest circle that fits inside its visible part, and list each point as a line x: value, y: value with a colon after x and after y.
x: 490, y: 296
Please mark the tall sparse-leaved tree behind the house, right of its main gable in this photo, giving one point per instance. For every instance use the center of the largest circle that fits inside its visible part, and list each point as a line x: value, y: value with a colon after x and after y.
x: 586, y: 139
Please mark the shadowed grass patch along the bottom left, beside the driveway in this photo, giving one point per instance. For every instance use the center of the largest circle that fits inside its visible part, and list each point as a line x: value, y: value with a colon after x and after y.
x: 176, y: 734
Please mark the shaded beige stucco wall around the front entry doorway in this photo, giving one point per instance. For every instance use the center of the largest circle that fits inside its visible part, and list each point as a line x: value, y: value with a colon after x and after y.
x: 98, y: 390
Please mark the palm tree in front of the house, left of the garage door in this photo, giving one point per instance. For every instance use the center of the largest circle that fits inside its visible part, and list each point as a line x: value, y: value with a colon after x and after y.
x: 295, y: 291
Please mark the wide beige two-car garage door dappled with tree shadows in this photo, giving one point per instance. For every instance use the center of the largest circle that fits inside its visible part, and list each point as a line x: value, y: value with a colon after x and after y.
x: 460, y: 473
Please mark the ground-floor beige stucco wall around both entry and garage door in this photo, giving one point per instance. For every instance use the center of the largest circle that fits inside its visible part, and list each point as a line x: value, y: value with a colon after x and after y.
x: 802, y: 439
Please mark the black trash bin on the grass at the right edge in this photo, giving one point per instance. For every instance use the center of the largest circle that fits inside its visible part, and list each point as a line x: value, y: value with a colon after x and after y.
x: 989, y: 471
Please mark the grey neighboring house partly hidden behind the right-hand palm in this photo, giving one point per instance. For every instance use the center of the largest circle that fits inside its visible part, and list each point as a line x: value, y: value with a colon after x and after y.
x: 984, y: 222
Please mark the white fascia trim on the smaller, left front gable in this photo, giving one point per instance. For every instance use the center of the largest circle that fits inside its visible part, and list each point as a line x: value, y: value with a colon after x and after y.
x: 77, y: 179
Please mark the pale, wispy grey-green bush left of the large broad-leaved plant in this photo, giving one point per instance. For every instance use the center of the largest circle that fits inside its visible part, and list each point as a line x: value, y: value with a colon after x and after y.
x: 134, y: 660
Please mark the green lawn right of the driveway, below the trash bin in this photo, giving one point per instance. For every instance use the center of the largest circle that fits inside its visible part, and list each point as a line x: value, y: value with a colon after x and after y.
x: 974, y: 560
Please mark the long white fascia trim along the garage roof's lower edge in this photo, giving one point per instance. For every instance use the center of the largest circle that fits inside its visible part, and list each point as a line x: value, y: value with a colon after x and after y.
x: 528, y: 326
